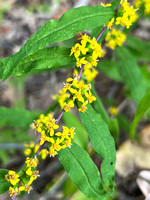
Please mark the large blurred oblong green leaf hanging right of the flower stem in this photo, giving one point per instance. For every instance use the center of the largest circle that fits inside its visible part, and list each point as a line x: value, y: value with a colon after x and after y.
x: 130, y: 73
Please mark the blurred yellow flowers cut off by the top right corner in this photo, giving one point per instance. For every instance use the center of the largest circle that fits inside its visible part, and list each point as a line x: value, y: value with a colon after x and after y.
x: 145, y: 4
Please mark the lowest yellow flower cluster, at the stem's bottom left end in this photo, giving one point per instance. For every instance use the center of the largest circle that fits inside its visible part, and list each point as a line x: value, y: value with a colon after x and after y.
x: 22, y: 181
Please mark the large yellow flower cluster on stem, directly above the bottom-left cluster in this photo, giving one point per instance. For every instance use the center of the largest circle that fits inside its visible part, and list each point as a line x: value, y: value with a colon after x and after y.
x: 46, y: 125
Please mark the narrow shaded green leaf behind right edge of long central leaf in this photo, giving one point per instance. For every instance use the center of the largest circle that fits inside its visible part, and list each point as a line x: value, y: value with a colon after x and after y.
x: 98, y: 105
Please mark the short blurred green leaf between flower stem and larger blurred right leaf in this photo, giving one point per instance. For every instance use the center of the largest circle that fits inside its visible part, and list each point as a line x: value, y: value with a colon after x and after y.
x: 110, y: 68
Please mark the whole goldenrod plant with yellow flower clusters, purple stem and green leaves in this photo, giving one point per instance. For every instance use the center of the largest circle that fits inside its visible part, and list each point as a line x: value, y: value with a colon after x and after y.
x: 113, y: 22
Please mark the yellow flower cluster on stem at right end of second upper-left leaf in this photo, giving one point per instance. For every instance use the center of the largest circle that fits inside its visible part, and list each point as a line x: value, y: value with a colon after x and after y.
x: 87, y: 52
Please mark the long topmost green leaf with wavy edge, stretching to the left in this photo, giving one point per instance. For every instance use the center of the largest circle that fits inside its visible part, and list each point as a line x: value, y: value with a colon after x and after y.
x: 72, y: 22
